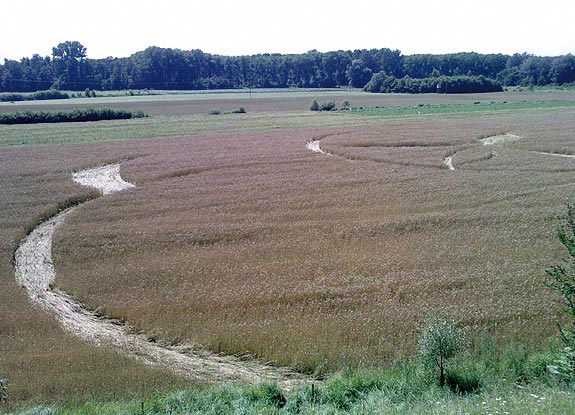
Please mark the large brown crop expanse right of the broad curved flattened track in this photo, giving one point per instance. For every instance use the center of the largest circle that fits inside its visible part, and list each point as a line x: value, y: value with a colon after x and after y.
x: 249, y: 243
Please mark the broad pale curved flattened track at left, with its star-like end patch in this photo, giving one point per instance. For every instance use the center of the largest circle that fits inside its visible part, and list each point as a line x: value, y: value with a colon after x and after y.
x: 35, y: 272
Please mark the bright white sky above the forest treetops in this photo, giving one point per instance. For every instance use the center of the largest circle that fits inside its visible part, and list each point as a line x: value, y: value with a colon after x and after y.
x: 120, y: 28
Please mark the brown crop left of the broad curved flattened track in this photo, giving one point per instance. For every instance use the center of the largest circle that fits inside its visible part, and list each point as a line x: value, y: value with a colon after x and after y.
x: 41, y: 361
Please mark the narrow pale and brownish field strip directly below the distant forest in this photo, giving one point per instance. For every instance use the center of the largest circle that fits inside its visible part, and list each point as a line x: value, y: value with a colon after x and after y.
x: 274, y: 101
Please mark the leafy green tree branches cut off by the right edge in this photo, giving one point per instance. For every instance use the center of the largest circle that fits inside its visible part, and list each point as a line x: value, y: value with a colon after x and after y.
x: 562, y: 280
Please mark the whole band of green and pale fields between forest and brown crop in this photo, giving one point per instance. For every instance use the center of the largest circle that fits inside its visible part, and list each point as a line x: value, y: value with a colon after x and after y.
x: 188, y: 115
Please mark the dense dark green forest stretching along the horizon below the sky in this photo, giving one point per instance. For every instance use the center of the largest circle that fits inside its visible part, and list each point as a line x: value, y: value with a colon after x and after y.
x: 69, y: 68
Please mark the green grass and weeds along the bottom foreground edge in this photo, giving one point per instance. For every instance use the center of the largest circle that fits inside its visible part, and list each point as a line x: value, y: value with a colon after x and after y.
x: 511, y: 384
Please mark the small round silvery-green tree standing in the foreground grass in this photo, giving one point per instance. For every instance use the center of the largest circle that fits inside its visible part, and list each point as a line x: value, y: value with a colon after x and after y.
x: 439, y: 340
